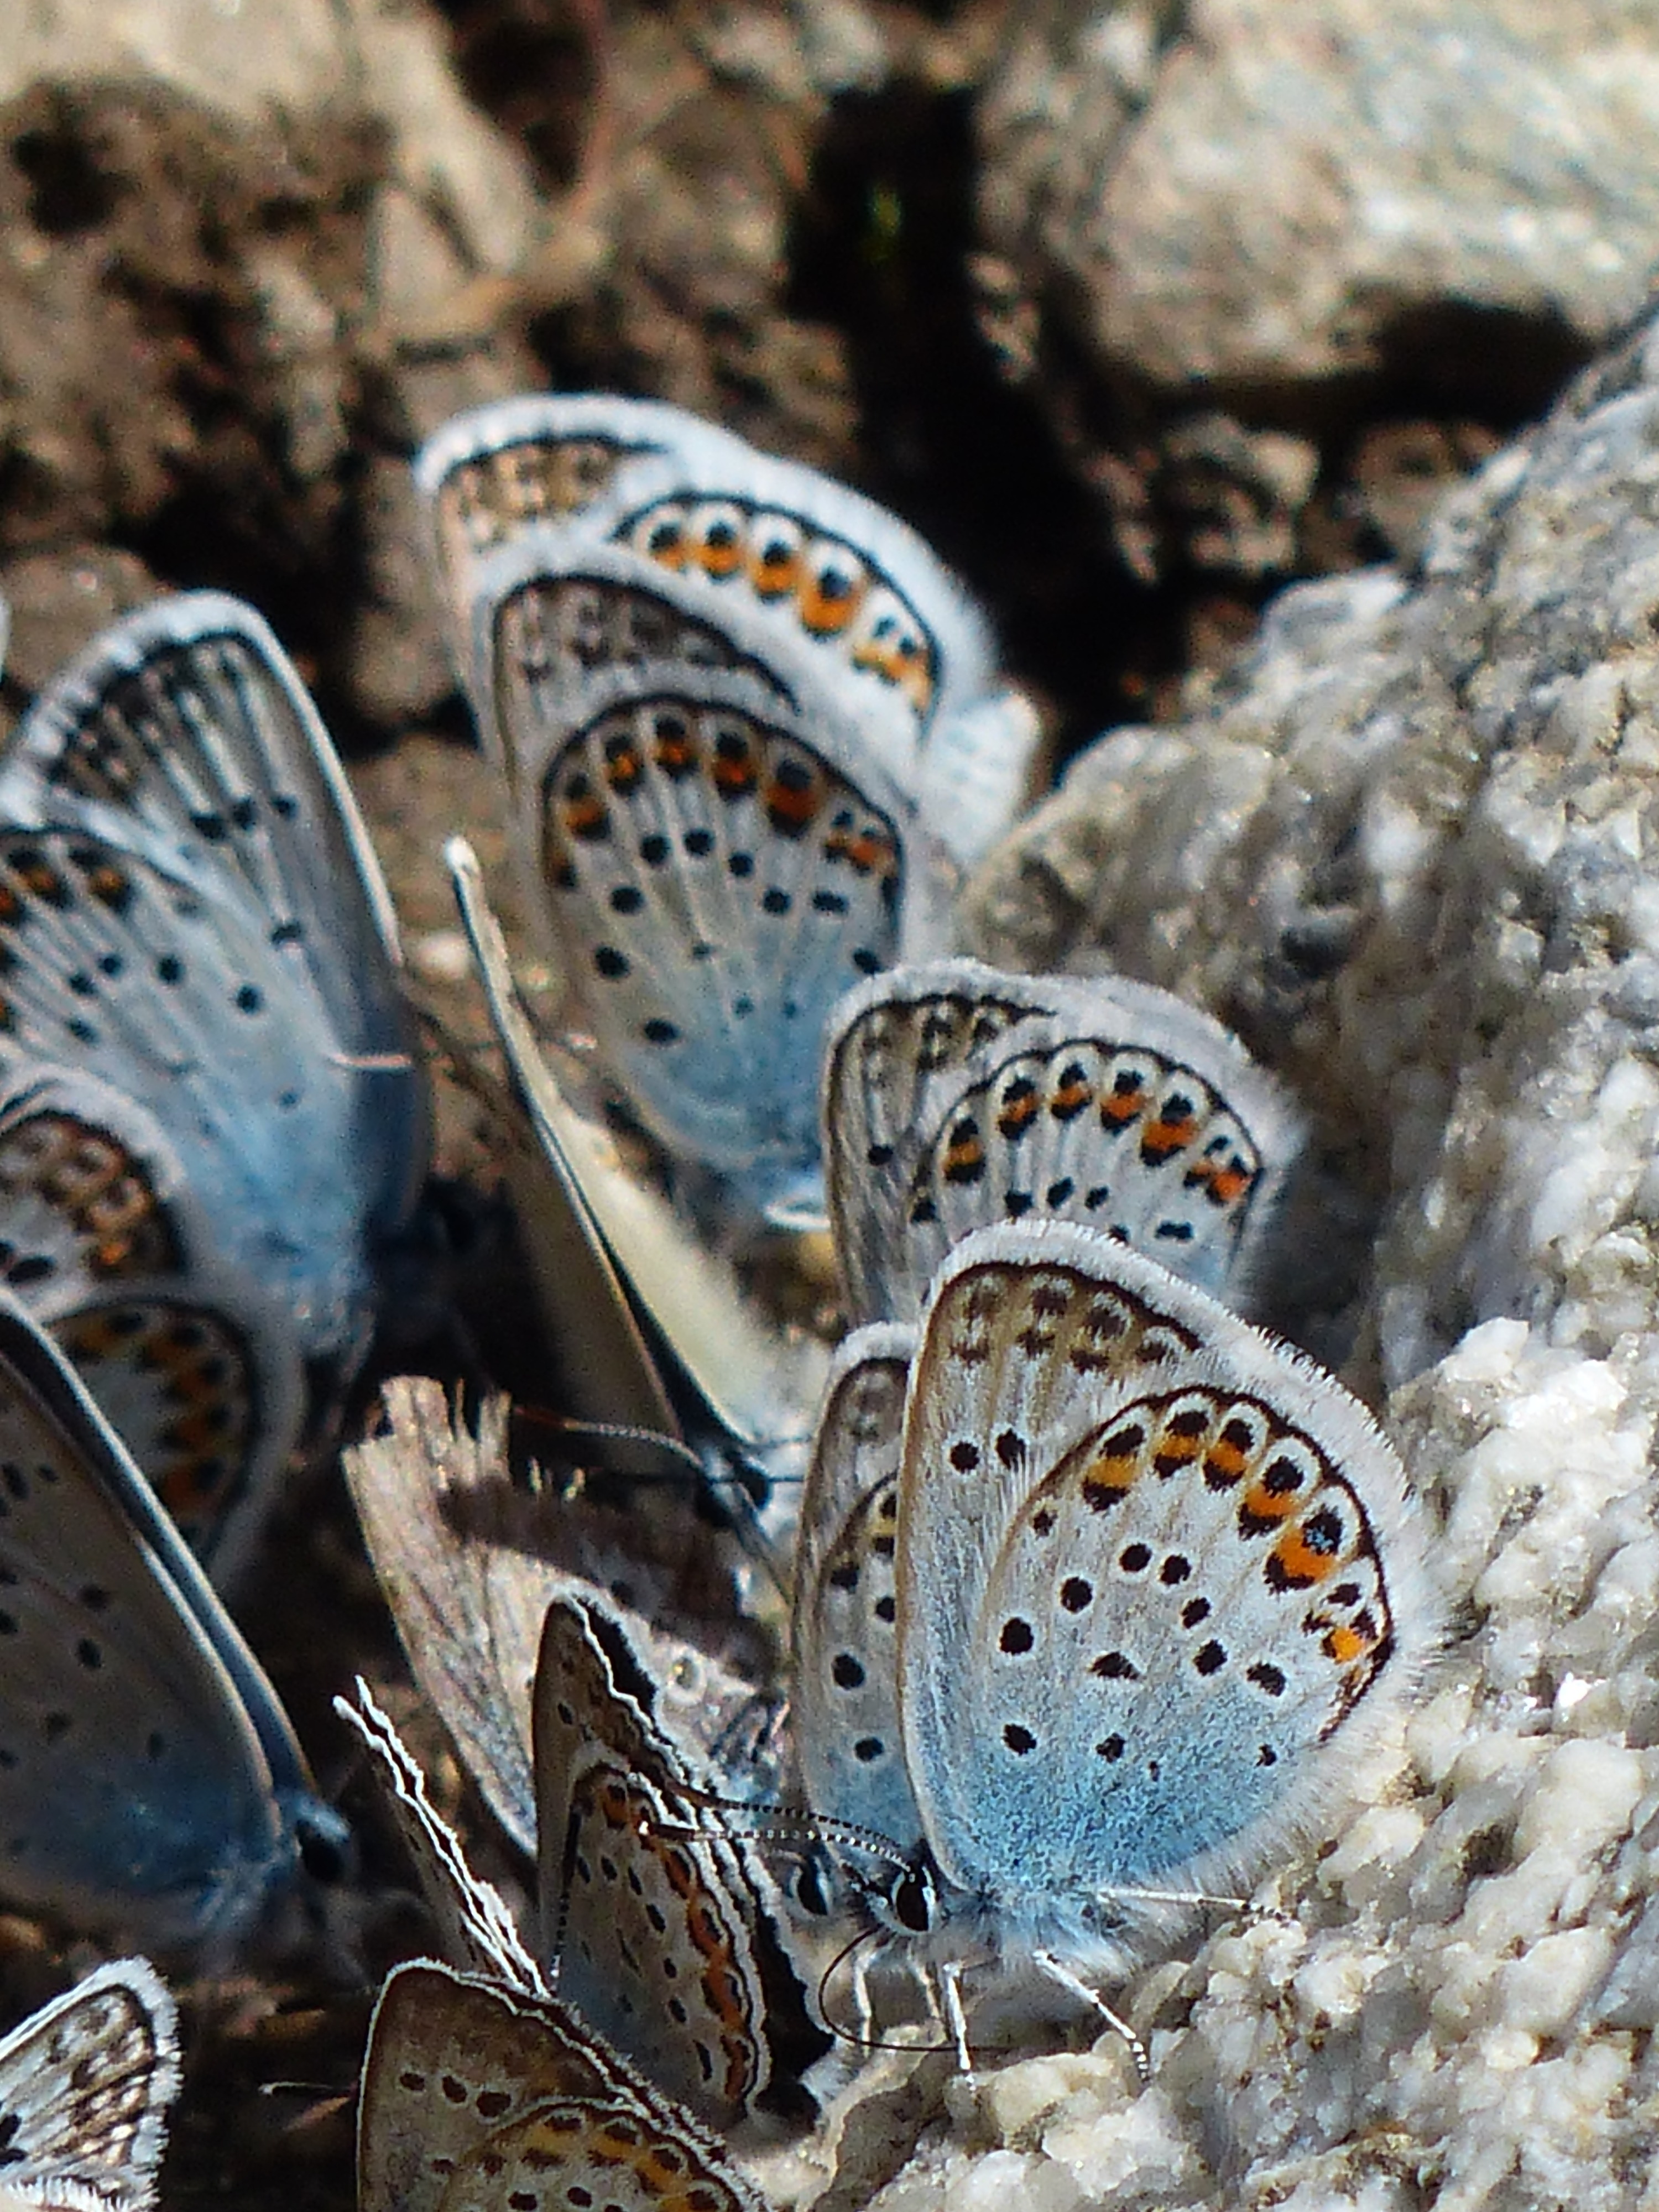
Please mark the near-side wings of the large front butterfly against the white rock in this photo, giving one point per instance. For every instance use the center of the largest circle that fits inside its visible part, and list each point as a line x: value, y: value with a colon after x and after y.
x: 1151, y: 1563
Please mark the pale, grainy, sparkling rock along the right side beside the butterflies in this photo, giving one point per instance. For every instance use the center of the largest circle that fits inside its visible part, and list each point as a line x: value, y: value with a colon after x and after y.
x: 1410, y: 844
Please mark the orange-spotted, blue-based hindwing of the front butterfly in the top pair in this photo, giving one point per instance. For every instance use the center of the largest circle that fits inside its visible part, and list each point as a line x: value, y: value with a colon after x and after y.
x: 716, y: 870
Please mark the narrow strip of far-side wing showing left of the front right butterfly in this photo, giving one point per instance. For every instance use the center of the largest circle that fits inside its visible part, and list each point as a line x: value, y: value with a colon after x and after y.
x: 844, y: 1687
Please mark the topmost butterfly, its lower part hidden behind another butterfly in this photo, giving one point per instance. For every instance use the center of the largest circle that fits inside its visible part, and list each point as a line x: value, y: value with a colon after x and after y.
x: 797, y: 572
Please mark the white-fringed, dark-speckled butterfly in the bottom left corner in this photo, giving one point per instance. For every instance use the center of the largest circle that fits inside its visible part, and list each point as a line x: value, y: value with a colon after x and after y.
x: 85, y: 2094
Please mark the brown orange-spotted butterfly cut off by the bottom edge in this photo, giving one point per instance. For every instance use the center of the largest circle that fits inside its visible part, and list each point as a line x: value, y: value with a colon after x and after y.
x: 486, y: 2096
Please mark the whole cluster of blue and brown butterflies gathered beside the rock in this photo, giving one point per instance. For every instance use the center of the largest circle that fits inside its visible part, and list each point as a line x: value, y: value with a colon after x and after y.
x: 1094, y: 1589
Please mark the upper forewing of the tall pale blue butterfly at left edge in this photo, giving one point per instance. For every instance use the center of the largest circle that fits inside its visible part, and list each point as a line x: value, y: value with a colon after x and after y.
x: 185, y: 738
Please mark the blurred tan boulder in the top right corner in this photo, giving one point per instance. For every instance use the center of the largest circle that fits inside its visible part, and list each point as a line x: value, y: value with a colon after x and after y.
x: 1275, y: 209
